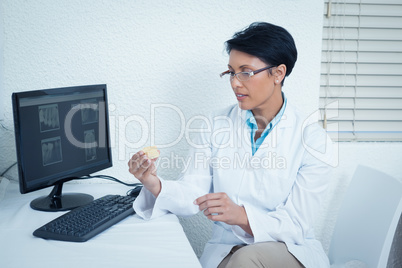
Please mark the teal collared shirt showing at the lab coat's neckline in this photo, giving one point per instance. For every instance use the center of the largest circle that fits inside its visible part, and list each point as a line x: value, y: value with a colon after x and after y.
x: 252, y: 124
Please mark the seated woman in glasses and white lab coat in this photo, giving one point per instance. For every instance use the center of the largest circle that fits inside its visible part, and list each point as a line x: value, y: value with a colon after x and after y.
x: 258, y: 169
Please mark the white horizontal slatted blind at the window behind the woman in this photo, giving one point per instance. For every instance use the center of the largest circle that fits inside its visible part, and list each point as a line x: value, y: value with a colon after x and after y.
x: 361, y: 70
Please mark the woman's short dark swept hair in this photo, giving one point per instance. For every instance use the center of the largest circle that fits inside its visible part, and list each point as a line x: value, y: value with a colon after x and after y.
x: 270, y: 43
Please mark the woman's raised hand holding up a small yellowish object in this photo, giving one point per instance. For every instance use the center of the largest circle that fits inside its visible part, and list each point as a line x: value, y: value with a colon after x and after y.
x: 145, y: 171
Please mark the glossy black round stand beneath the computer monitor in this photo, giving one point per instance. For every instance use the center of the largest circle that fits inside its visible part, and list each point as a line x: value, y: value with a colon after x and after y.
x: 56, y: 201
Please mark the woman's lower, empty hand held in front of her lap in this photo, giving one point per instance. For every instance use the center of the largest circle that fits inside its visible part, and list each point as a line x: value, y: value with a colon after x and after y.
x: 219, y: 207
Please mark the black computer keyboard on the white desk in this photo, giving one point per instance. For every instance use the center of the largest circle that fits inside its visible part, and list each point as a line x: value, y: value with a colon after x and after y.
x: 83, y: 223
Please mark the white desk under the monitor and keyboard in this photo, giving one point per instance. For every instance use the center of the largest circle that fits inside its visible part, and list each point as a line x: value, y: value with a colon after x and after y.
x: 132, y: 242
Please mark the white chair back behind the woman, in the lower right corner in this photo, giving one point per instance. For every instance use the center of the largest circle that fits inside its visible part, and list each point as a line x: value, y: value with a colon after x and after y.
x: 367, y: 219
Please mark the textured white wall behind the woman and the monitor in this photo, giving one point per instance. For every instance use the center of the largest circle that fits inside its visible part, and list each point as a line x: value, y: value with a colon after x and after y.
x: 162, y: 52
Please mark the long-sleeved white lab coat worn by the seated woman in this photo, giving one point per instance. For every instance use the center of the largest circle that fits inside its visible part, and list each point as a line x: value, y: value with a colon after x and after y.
x: 281, y: 187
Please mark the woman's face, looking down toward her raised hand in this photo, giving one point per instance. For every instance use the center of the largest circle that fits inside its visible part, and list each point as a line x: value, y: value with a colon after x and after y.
x: 261, y: 91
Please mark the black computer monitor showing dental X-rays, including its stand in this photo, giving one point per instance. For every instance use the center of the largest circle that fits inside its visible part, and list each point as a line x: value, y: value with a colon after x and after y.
x: 61, y: 134
